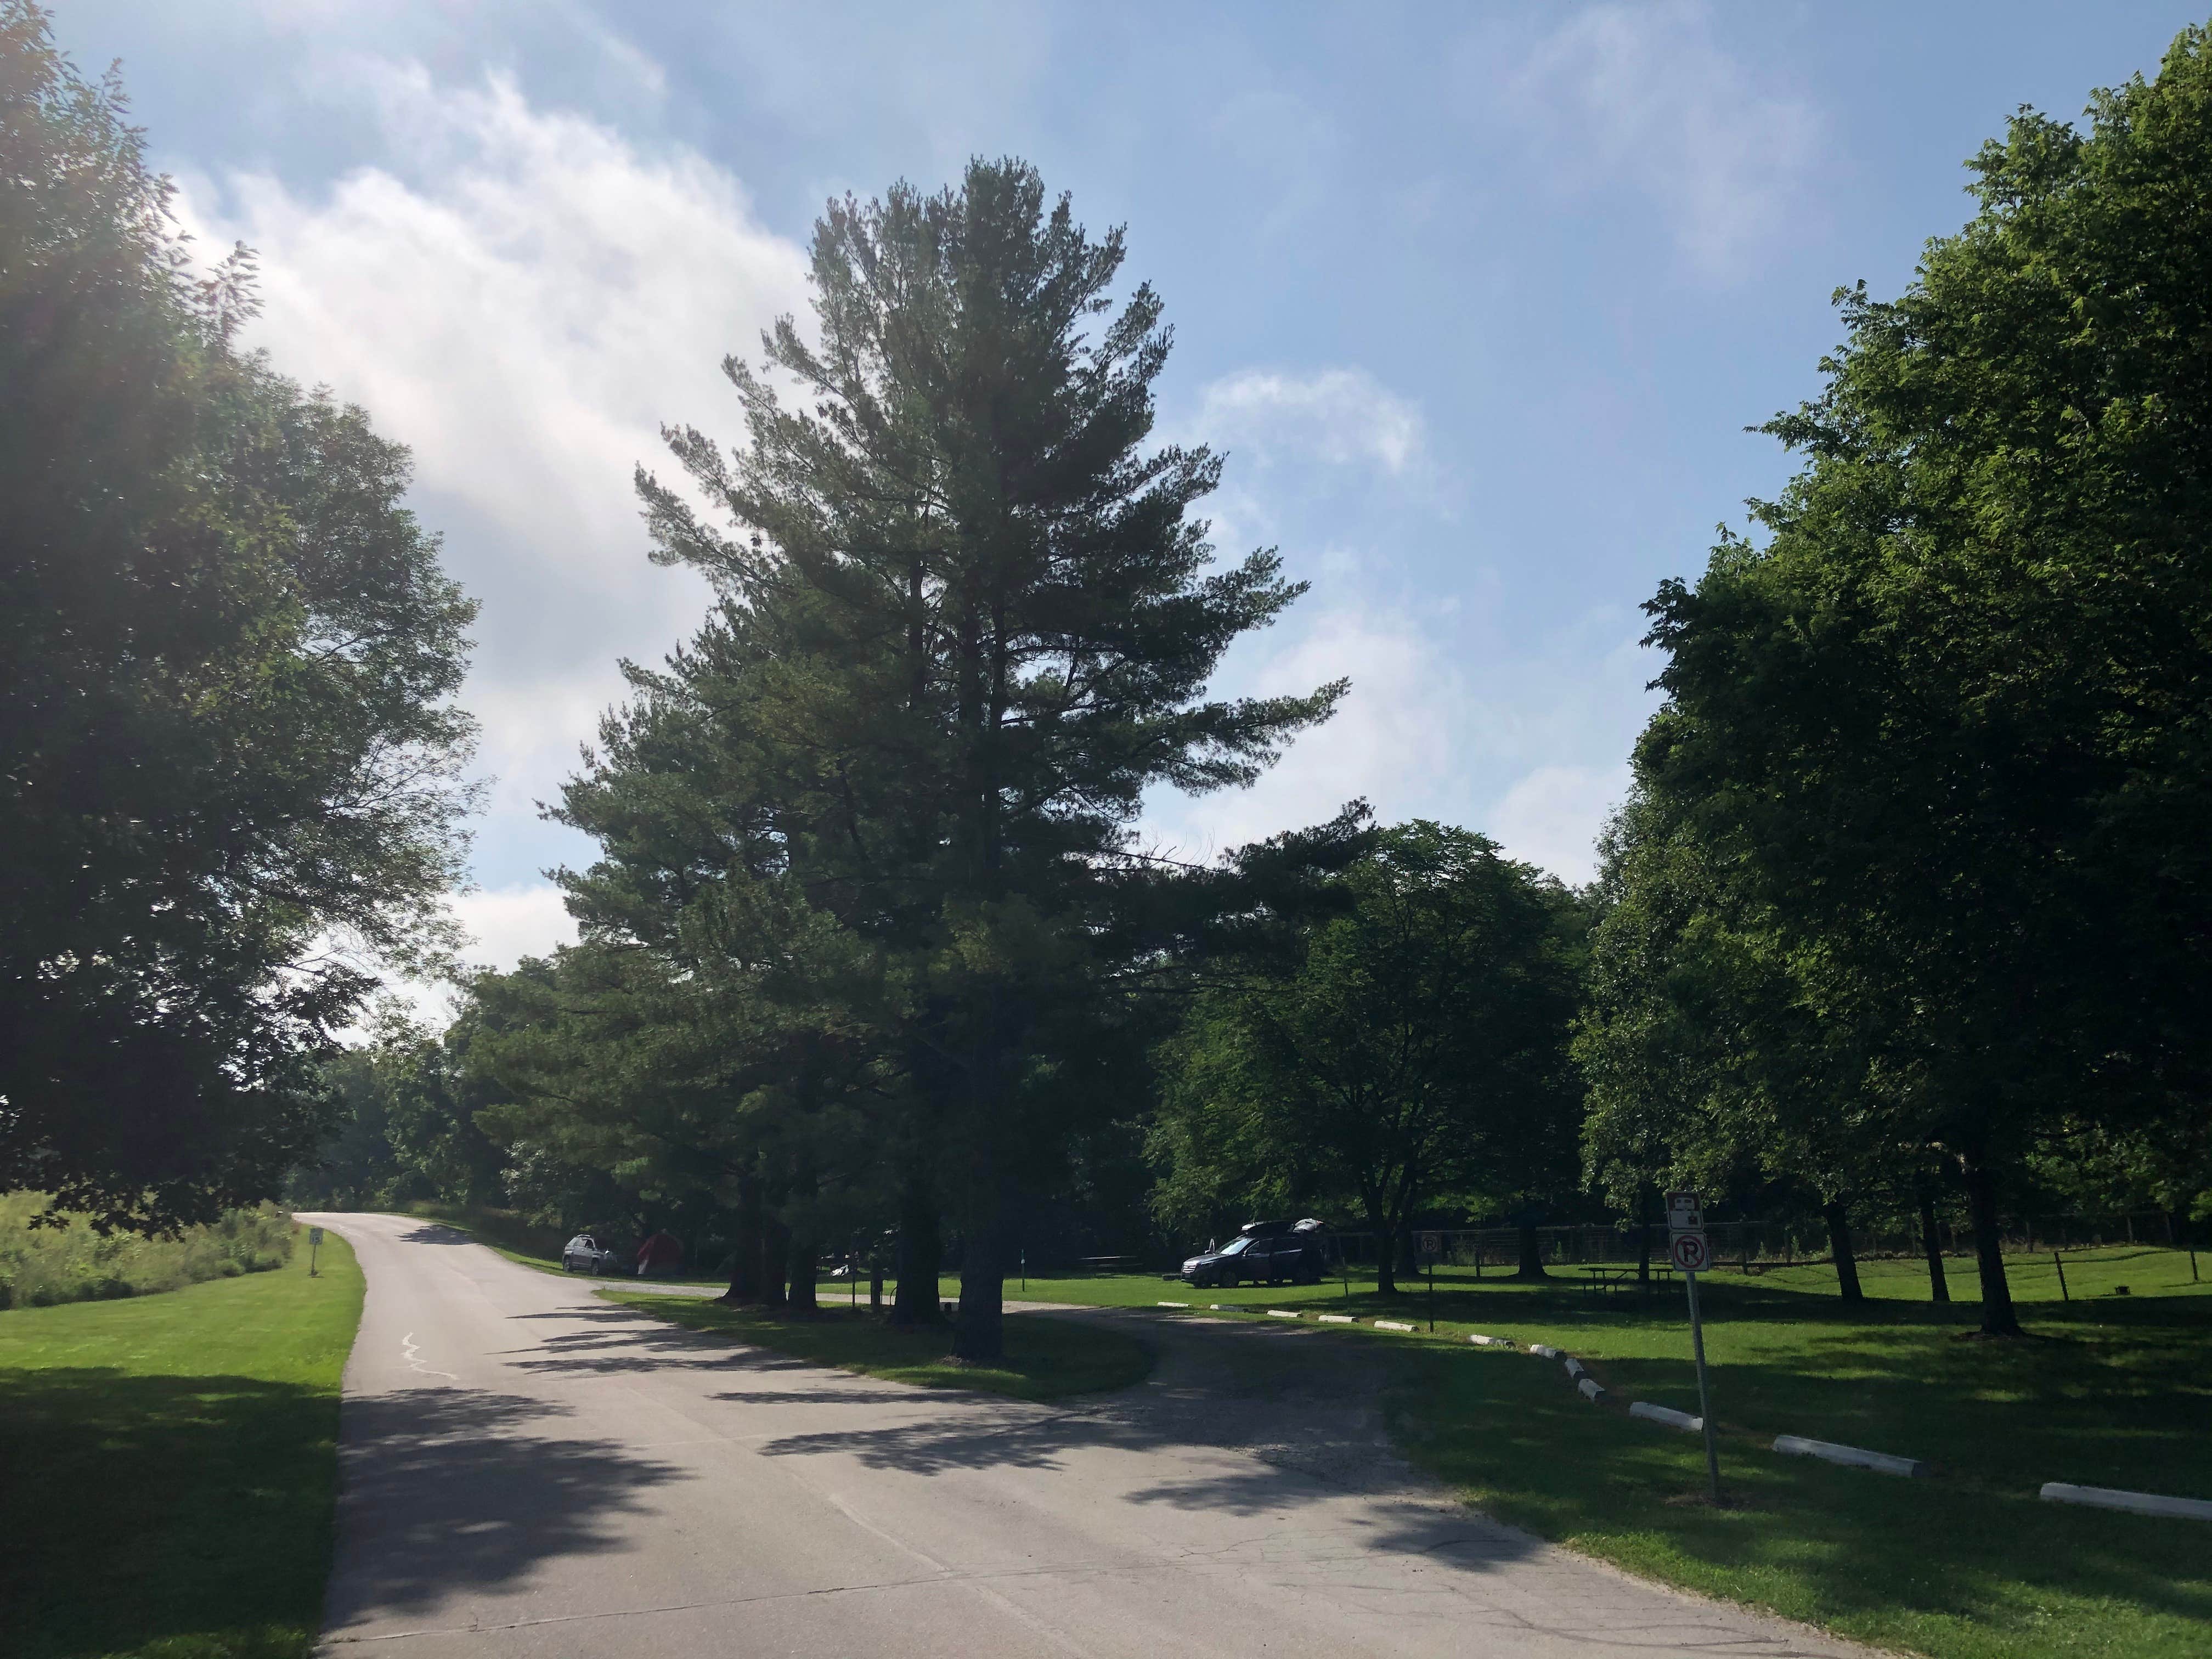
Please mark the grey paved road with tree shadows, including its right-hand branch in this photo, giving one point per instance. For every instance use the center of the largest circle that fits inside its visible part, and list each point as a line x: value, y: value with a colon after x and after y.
x: 534, y: 1472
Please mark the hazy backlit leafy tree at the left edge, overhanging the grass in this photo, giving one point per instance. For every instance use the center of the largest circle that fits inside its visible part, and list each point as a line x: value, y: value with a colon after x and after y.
x: 227, y: 656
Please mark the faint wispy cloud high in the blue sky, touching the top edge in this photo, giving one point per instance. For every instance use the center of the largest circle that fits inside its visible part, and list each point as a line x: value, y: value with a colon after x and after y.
x: 1647, y: 96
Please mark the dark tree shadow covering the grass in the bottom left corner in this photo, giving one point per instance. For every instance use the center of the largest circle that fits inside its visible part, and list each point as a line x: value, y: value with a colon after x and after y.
x: 143, y: 1510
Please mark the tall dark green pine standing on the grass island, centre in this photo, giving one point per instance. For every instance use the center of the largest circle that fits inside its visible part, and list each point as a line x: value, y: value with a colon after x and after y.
x: 968, y: 623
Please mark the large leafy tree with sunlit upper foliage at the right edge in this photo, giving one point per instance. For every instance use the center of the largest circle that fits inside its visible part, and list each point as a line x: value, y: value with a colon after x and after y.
x: 1945, y: 729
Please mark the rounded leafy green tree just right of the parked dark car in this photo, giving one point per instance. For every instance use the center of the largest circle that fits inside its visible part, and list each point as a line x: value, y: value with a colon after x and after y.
x: 1406, y: 1043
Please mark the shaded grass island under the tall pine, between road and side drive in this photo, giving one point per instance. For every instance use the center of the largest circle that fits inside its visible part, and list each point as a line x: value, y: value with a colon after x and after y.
x: 1047, y: 1359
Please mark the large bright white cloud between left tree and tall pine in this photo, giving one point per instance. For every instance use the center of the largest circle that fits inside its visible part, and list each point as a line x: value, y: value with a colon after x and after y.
x: 523, y: 298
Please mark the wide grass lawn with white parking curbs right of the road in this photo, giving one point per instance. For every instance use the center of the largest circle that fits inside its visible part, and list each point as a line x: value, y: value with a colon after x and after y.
x: 1970, y: 1565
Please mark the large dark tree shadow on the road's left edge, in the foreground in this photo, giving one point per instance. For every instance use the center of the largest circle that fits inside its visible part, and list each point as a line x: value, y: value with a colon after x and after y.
x: 457, y: 1490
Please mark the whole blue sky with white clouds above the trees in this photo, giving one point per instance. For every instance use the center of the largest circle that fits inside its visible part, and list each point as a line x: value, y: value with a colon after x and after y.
x: 1477, y: 298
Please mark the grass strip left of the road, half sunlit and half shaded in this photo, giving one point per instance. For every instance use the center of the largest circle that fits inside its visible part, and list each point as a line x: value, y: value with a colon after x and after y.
x: 169, y: 1468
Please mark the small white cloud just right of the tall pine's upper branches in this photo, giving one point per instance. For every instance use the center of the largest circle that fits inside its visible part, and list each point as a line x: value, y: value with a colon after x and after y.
x: 1335, y: 417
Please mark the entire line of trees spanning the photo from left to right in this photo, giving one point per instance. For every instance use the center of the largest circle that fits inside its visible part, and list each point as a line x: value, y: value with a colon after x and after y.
x: 1906, y: 908
